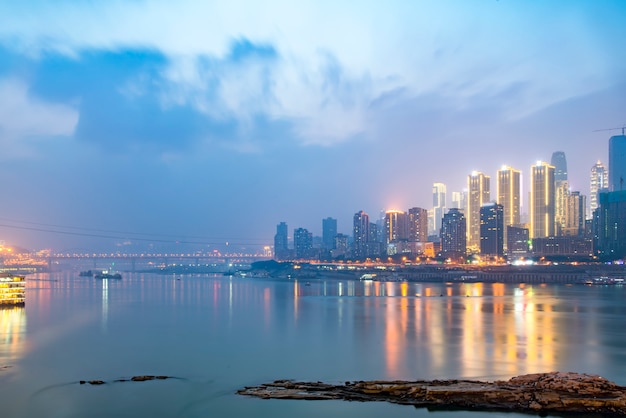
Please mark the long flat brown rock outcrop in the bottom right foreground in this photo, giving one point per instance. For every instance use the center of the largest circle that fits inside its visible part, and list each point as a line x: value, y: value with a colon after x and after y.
x: 540, y: 393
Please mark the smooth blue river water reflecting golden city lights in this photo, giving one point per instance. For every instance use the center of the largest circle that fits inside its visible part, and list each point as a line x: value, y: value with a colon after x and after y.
x: 217, y: 334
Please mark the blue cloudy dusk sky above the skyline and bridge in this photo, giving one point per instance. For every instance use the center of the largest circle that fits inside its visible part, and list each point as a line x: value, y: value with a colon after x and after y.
x: 145, y: 124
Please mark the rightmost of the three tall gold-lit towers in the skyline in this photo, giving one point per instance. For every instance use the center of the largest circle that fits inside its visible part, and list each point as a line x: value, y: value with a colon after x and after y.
x: 542, y: 197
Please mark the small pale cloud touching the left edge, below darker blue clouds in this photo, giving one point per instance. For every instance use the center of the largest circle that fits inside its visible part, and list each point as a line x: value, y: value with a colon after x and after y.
x: 25, y: 121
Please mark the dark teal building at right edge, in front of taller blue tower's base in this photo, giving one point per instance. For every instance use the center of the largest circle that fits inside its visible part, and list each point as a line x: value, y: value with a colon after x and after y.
x: 610, y: 228
